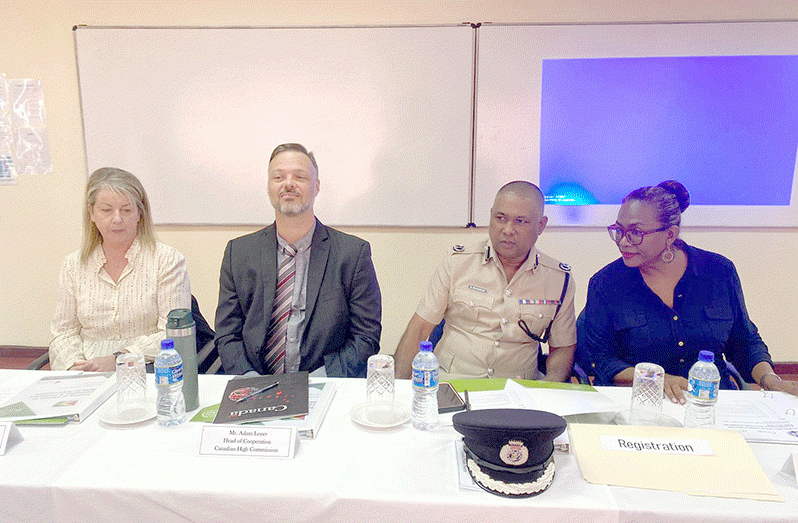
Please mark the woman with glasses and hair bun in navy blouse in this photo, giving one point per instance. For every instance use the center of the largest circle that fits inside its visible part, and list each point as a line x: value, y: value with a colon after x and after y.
x: 664, y: 301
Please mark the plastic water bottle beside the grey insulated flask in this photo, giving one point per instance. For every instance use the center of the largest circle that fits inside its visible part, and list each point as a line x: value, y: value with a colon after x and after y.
x: 169, y: 382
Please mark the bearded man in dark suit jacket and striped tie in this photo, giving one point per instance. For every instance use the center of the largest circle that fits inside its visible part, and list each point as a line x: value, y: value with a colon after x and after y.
x: 331, y: 320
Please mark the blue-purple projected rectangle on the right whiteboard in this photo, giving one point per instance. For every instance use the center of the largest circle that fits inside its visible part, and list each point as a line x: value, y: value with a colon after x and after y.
x: 724, y: 126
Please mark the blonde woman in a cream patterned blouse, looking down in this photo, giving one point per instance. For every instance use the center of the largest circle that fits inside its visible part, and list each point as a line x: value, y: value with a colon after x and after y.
x: 115, y: 293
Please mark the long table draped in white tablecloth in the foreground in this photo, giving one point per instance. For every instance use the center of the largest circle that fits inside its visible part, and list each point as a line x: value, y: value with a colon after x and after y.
x: 91, y: 471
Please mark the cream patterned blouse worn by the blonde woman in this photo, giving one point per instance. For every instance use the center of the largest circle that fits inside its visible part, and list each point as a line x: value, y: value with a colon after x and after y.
x: 96, y: 317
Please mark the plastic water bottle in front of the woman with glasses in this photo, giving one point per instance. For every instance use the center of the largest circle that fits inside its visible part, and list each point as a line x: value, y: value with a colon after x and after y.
x: 702, y: 391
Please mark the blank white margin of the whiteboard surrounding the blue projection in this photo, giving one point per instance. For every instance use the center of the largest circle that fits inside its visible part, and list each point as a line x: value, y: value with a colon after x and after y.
x: 508, y: 140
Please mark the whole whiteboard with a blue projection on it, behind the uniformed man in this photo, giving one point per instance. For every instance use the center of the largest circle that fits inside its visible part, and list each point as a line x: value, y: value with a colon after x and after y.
x: 511, y: 118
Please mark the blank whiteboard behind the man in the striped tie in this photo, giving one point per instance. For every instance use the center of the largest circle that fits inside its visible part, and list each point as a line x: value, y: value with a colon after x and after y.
x: 196, y: 112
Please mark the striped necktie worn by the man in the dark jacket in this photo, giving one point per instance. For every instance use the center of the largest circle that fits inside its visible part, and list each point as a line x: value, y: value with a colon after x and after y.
x: 278, y: 326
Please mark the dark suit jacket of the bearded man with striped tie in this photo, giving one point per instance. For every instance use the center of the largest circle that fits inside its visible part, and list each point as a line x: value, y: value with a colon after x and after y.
x: 342, y: 320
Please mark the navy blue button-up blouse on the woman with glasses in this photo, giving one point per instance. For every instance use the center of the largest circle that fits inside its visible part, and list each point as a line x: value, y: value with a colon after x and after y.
x: 626, y: 323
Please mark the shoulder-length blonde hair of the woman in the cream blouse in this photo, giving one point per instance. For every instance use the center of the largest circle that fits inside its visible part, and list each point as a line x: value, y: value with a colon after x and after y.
x: 120, y: 182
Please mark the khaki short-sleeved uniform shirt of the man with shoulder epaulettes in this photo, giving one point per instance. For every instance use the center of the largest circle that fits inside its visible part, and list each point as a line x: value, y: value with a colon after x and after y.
x: 482, y: 337
